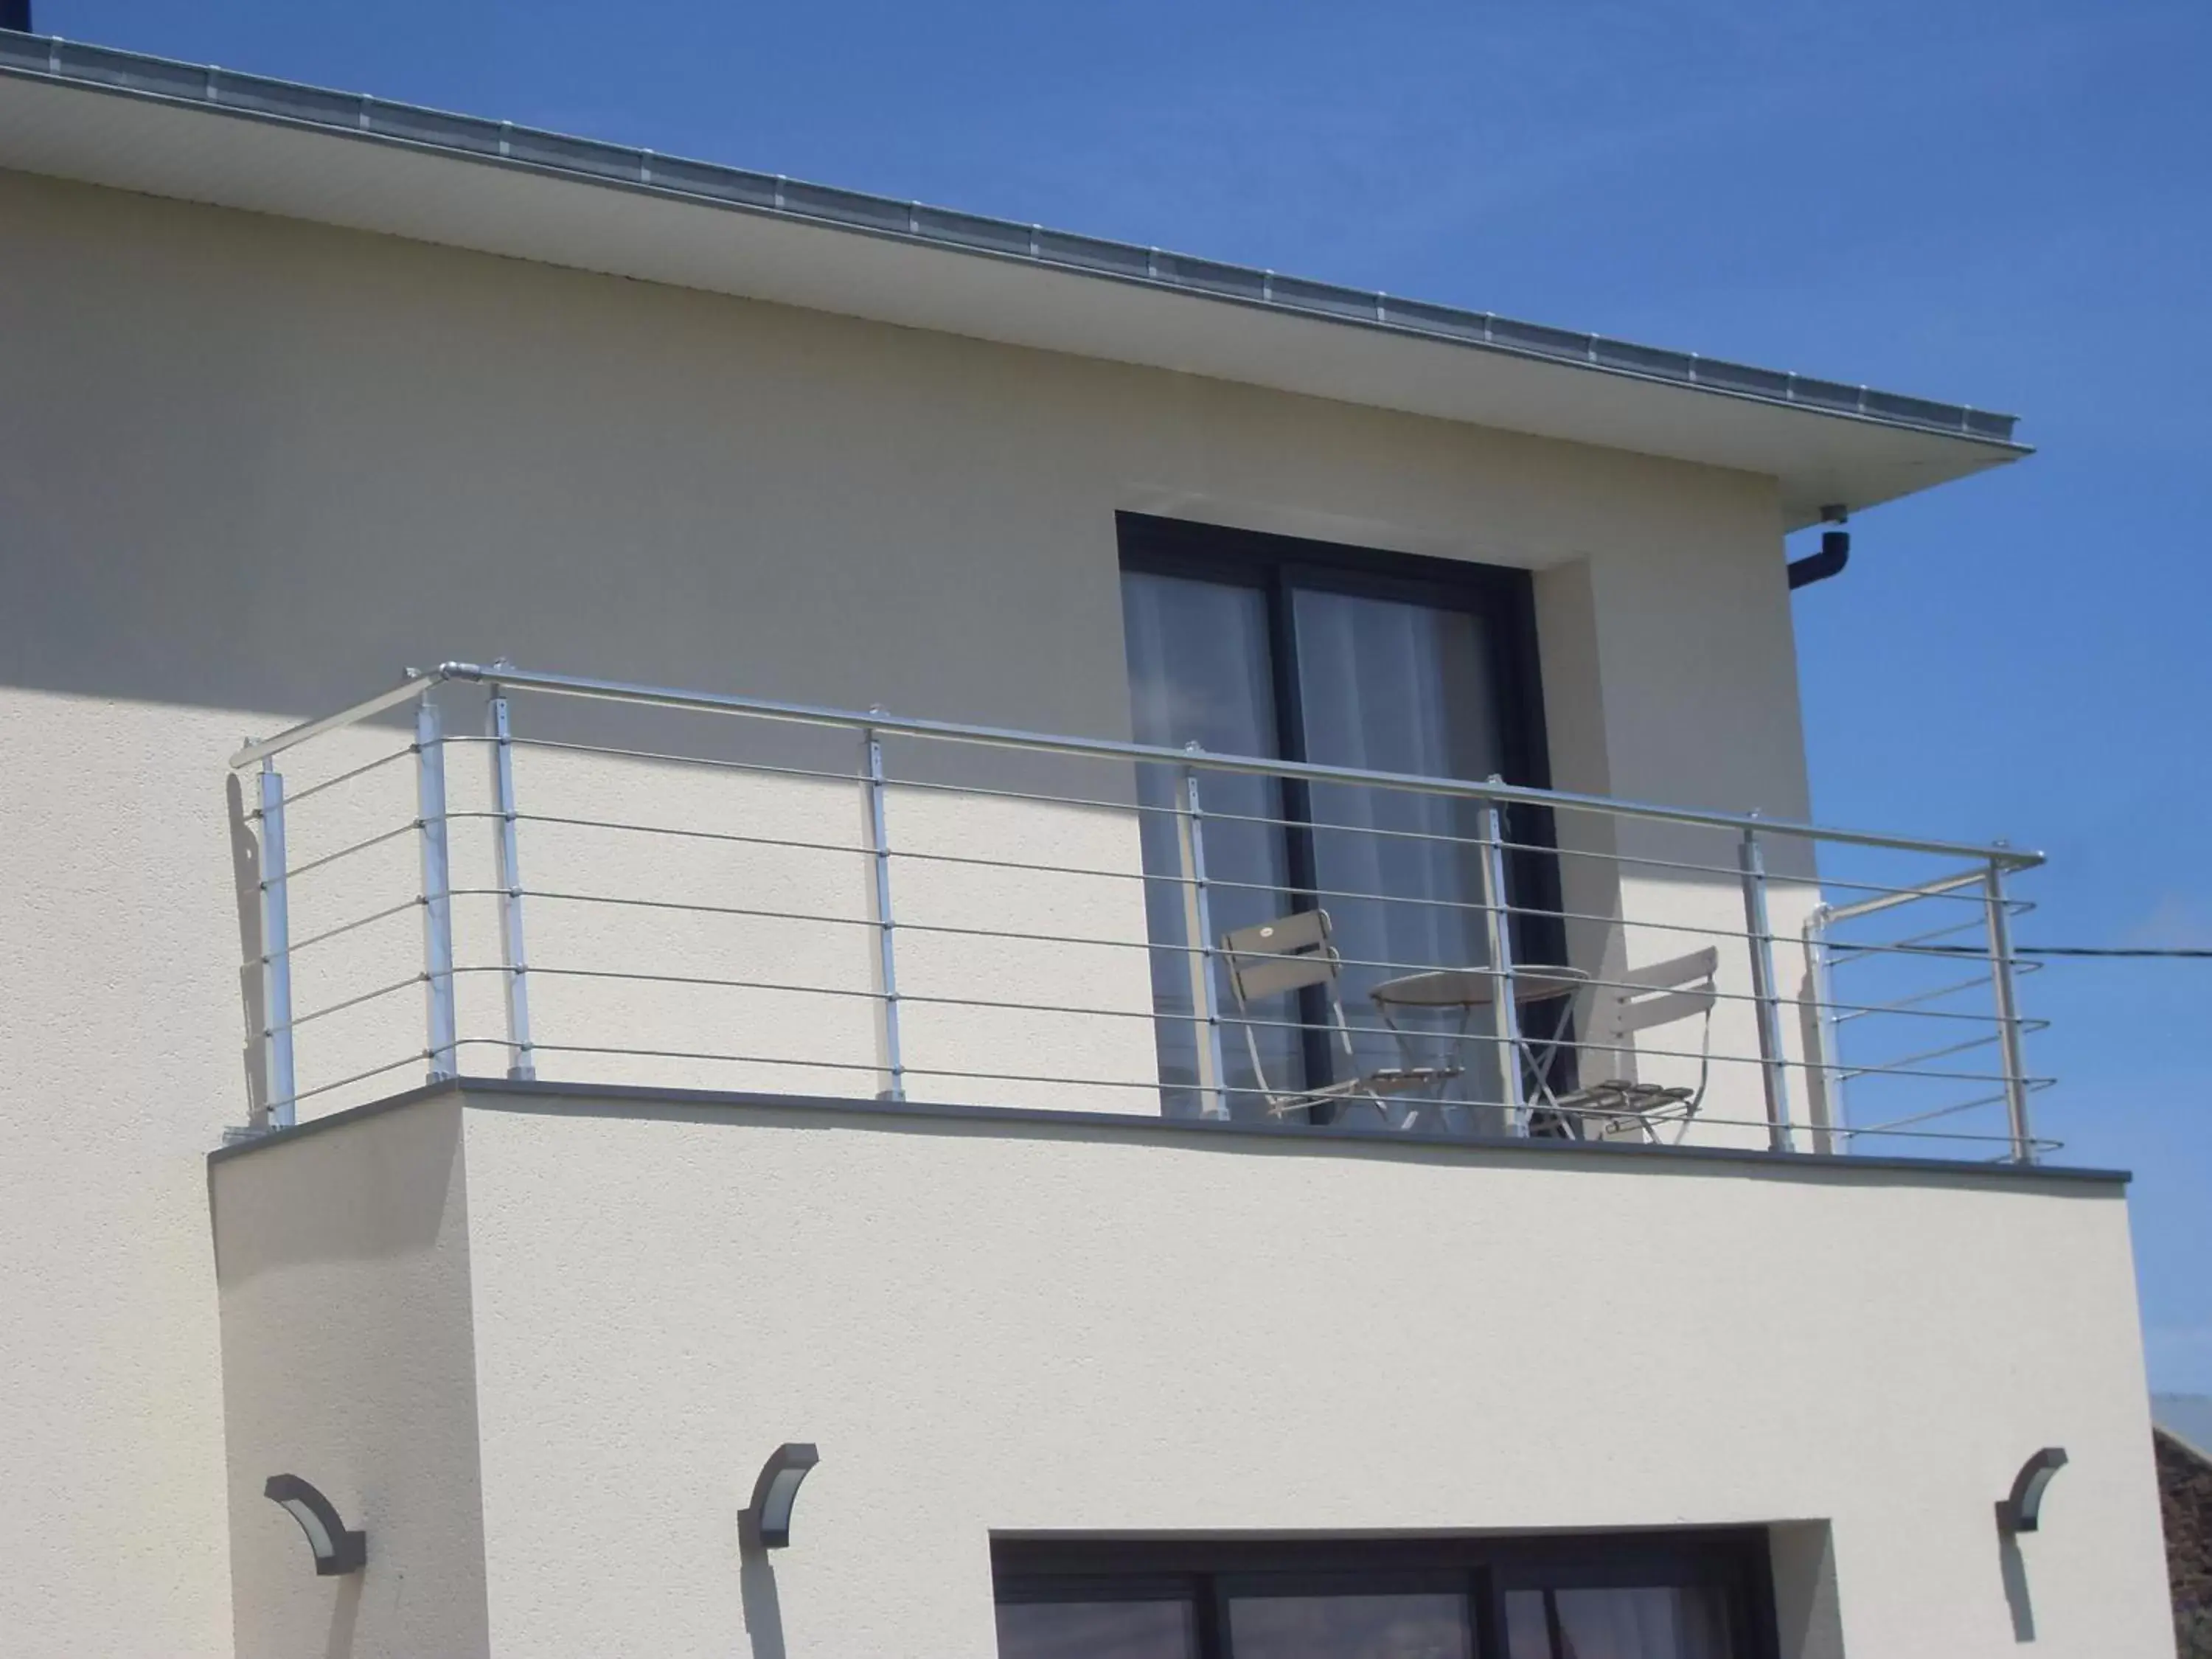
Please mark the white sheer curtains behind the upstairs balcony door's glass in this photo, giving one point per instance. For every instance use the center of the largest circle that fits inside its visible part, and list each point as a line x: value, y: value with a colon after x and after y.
x: 1386, y: 687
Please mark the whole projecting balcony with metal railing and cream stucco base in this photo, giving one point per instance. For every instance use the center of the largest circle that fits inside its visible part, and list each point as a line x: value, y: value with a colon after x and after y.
x: 930, y: 1094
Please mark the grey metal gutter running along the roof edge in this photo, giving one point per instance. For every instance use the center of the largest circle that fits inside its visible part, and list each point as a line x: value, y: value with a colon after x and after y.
x: 260, y: 98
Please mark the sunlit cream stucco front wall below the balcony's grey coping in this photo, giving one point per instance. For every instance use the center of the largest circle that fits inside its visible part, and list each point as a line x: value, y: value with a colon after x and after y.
x: 1151, y: 1331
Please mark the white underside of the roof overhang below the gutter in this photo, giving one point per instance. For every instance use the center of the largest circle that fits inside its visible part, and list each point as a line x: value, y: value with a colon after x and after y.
x: 656, y: 231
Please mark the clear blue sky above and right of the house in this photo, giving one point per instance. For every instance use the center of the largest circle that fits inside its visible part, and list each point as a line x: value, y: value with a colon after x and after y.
x: 1994, y: 205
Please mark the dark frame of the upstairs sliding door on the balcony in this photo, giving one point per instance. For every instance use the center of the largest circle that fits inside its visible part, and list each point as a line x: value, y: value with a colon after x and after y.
x: 1501, y: 598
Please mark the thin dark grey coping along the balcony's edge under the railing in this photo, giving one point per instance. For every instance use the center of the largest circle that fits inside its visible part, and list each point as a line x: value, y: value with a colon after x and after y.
x: 503, y: 1094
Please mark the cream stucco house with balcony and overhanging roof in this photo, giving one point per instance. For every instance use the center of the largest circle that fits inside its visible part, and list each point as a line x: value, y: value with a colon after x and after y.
x: 660, y: 815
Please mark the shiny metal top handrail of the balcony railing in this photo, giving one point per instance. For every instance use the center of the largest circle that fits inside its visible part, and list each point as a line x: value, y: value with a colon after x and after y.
x: 616, y: 691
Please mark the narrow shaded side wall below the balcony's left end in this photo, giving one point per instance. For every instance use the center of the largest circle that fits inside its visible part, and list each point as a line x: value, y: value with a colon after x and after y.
x: 348, y: 1357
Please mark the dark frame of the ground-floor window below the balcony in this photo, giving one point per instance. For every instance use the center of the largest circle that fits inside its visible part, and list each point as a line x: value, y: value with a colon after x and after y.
x: 1485, y: 1569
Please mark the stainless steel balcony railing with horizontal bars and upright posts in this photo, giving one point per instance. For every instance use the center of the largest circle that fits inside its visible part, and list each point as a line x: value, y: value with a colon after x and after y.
x: 968, y: 997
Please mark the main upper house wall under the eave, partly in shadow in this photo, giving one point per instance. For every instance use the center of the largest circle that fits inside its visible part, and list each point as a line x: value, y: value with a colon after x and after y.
x: 249, y: 470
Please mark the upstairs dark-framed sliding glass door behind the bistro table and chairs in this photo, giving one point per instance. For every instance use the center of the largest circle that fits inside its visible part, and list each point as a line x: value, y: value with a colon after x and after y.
x: 1258, y: 645
